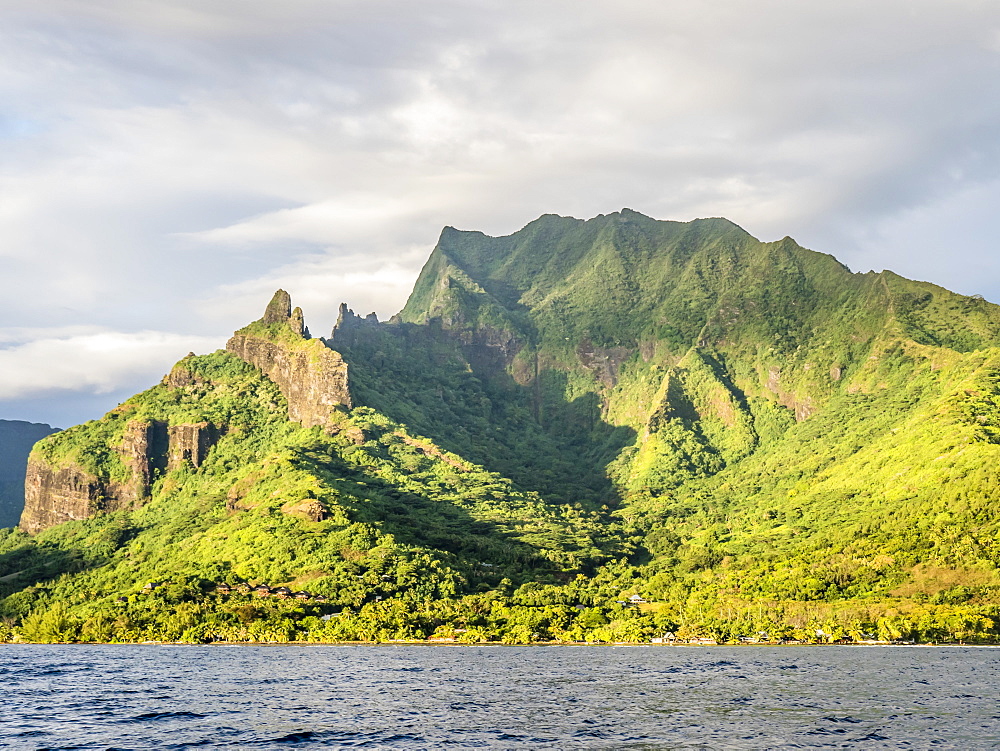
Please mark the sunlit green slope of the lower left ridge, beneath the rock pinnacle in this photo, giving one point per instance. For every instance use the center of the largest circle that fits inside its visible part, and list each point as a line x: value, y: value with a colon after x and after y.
x: 359, y: 511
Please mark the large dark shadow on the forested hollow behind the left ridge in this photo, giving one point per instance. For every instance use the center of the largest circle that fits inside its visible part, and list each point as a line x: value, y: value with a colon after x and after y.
x: 462, y: 396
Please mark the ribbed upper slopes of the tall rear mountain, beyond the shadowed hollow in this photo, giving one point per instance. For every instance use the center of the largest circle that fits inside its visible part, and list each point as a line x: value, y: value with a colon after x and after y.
x: 697, y: 340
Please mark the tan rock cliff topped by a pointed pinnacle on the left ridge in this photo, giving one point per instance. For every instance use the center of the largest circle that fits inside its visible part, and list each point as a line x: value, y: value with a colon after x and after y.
x: 312, y: 377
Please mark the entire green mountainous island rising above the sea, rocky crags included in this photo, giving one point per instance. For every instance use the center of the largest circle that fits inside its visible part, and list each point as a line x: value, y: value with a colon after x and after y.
x: 747, y: 435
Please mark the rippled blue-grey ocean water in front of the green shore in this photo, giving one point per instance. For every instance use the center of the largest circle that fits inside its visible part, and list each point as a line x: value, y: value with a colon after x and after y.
x: 414, y: 697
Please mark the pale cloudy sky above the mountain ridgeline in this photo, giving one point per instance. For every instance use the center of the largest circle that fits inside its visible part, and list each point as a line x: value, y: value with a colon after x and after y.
x: 166, y: 165
